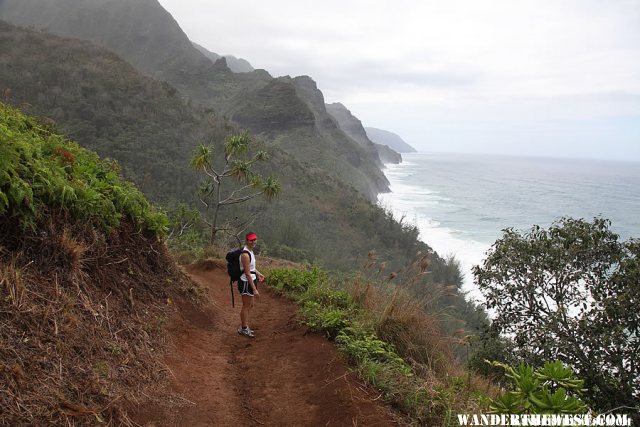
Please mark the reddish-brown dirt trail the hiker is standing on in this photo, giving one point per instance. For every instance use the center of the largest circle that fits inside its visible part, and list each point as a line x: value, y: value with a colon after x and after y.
x: 285, y: 376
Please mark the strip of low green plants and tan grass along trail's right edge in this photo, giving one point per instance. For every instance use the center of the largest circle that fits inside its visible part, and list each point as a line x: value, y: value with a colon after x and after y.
x: 390, y: 340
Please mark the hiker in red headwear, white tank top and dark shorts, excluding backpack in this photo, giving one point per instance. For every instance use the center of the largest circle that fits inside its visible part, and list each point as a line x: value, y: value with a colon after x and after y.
x: 248, y: 283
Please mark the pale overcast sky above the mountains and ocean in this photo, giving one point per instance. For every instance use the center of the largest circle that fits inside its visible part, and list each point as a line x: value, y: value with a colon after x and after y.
x: 539, y: 77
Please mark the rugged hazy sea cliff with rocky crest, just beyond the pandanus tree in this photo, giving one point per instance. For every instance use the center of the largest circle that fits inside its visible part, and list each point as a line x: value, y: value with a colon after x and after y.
x: 290, y: 113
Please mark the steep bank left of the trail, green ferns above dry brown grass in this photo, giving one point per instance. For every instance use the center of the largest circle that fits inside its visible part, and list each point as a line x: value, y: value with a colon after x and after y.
x: 85, y: 282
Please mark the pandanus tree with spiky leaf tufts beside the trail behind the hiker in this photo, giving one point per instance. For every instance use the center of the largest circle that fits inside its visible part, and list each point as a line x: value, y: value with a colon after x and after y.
x: 231, y: 181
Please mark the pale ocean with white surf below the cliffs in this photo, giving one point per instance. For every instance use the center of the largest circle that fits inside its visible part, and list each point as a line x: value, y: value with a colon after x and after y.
x: 462, y: 202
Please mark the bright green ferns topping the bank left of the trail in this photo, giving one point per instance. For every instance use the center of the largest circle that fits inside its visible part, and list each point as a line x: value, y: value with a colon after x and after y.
x: 41, y: 170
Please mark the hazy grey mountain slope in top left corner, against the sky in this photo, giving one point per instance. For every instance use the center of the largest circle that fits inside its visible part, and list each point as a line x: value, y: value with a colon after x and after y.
x: 140, y: 31
